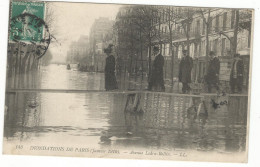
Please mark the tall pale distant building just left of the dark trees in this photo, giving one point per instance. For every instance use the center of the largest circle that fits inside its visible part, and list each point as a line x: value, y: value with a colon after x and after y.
x: 100, y: 37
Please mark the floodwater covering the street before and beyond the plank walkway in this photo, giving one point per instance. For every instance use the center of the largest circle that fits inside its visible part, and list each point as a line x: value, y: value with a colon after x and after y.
x: 104, y: 120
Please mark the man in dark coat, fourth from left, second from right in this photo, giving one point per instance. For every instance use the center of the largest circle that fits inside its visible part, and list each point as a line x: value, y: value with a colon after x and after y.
x: 212, y: 77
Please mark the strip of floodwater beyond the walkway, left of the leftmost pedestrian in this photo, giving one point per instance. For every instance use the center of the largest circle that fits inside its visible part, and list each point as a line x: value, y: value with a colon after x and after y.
x: 57, y: 77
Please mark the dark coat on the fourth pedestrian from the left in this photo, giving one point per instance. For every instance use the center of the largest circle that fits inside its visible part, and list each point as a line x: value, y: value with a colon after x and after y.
x: 213, y: 71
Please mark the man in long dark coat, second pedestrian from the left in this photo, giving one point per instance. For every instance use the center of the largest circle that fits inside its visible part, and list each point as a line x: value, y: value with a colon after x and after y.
x: 156, y: 81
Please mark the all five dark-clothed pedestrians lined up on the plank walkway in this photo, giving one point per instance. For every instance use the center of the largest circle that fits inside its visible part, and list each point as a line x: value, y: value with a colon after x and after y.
x: 156, y: 79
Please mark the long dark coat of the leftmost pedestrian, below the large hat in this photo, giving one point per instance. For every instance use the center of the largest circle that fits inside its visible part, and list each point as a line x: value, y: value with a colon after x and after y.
x: 110, y: 78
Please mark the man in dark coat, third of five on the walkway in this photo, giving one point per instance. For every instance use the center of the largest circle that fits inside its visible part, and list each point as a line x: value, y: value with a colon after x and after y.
x: 185, y: 68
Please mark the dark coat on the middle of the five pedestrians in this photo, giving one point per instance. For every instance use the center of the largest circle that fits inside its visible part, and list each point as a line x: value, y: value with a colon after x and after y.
x: 185, y: 68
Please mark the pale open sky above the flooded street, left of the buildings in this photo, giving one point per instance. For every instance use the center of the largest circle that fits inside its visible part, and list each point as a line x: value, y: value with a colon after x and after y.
x: 73, y: 20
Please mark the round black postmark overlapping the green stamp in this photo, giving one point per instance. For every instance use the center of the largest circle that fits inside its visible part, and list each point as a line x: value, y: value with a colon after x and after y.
x: 30, y: 29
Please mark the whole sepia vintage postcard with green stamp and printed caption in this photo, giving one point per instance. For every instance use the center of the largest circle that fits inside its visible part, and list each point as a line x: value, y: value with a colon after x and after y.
x: 128, y: 81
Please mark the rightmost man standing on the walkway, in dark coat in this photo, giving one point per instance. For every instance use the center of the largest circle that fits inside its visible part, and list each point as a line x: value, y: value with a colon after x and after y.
x: 236, y: 75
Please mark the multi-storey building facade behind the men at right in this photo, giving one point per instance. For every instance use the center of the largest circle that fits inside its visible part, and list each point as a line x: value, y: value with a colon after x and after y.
x: 201, y: 31
